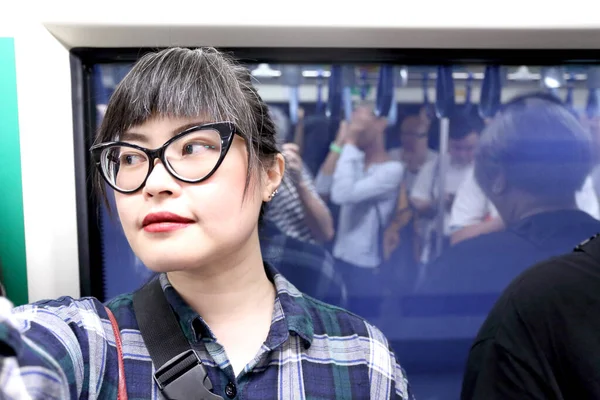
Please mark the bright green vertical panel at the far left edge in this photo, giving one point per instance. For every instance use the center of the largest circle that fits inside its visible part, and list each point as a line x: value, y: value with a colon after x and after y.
x: 12, y: 229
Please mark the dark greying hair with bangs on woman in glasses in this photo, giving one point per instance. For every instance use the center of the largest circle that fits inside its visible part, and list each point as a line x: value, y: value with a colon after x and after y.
x: 180, y: 82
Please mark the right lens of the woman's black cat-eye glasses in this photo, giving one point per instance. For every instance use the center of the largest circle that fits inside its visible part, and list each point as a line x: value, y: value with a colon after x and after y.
x: 195, y: 155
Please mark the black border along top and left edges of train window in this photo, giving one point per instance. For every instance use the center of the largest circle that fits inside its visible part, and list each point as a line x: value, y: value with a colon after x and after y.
x: 83, y: 60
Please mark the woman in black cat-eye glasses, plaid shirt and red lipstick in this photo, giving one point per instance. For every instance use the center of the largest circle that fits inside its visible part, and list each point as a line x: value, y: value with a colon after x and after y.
x: 190, y: 211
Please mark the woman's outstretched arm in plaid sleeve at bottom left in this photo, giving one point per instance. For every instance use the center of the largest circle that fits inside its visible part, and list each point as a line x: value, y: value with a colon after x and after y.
x: 55, y: 350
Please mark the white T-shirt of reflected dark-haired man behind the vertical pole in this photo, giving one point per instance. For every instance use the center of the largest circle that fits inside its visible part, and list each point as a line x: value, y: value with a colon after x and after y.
x: 426, y: 188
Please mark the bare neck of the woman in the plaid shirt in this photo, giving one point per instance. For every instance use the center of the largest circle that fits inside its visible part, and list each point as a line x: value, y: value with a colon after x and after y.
x: 228, y: 289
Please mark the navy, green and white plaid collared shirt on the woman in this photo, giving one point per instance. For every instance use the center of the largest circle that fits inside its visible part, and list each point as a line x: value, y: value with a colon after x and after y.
x: 65, y: 349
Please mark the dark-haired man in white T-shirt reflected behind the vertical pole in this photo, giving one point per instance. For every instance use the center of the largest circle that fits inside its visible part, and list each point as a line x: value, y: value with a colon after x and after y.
x: 462, y: 144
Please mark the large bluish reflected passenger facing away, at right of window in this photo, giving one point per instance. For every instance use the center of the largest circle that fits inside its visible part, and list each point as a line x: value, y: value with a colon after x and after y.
x: 533, y: 158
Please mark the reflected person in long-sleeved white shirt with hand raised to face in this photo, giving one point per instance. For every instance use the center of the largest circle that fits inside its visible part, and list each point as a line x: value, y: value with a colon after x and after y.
x: 360, y: 177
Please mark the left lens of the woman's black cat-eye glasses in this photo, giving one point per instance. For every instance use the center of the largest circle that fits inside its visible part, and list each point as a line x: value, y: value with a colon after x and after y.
x: 125, y: 168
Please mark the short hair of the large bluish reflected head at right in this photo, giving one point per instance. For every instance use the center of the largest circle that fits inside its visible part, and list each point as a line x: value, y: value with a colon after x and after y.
x: 539, y: 145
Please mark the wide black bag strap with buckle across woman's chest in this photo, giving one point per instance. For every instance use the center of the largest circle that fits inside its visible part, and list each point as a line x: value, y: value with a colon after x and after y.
x: 179, y: 371
